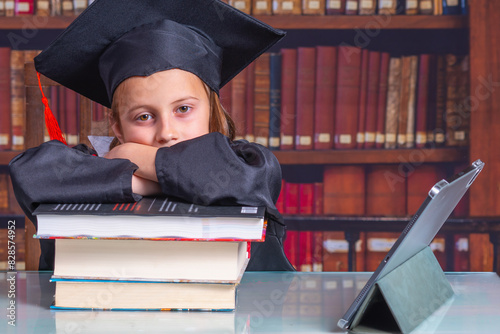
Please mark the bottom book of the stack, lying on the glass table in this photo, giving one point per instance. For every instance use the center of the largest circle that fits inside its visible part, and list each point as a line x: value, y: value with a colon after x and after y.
x: 138, y: 295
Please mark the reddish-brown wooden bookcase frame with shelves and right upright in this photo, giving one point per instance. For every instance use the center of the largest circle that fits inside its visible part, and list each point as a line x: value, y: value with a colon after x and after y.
x: 484, y: 63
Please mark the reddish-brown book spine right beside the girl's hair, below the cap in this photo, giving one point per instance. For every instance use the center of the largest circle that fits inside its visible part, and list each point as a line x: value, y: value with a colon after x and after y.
x: 238, y: 103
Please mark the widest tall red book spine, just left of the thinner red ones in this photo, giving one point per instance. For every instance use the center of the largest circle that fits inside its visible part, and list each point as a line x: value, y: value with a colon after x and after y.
x: 346, y: 109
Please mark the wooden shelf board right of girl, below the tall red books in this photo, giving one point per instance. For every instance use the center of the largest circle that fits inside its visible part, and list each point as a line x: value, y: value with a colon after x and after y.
x: 414, y: 156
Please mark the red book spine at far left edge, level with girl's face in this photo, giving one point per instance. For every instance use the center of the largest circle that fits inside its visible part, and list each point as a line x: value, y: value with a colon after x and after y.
x: 5, y: 112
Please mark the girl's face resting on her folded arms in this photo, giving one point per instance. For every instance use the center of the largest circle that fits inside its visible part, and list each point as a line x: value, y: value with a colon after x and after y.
x: 162, y: 109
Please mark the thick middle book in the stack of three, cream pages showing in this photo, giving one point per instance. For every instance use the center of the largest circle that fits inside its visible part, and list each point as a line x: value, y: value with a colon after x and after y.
x: 150, y: 260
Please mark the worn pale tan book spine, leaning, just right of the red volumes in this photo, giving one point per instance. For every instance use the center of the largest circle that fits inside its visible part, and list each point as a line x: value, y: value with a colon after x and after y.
x: 393, y: 103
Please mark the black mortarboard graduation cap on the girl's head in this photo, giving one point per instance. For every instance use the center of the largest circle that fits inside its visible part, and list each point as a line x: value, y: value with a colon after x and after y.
x: 116, y: 39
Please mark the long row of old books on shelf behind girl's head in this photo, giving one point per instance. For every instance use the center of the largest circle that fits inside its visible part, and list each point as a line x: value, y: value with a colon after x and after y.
x: 324, y: 97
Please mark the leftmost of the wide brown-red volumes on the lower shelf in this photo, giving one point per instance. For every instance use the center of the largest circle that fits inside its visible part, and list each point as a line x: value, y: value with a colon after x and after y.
x: 344, y: 190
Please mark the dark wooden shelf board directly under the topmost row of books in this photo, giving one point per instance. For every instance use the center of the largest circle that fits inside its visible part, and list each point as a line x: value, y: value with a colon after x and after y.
x: 370, y: 22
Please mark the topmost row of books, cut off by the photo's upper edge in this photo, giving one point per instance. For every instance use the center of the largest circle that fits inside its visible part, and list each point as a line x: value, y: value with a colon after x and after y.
x: 264, y: 7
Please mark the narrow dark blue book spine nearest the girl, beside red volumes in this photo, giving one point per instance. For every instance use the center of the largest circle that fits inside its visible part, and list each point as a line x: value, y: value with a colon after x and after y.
x: 274, y: 101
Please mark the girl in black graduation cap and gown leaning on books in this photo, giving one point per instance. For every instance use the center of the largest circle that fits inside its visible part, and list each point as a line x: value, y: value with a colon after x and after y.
x: 159, y: 65
